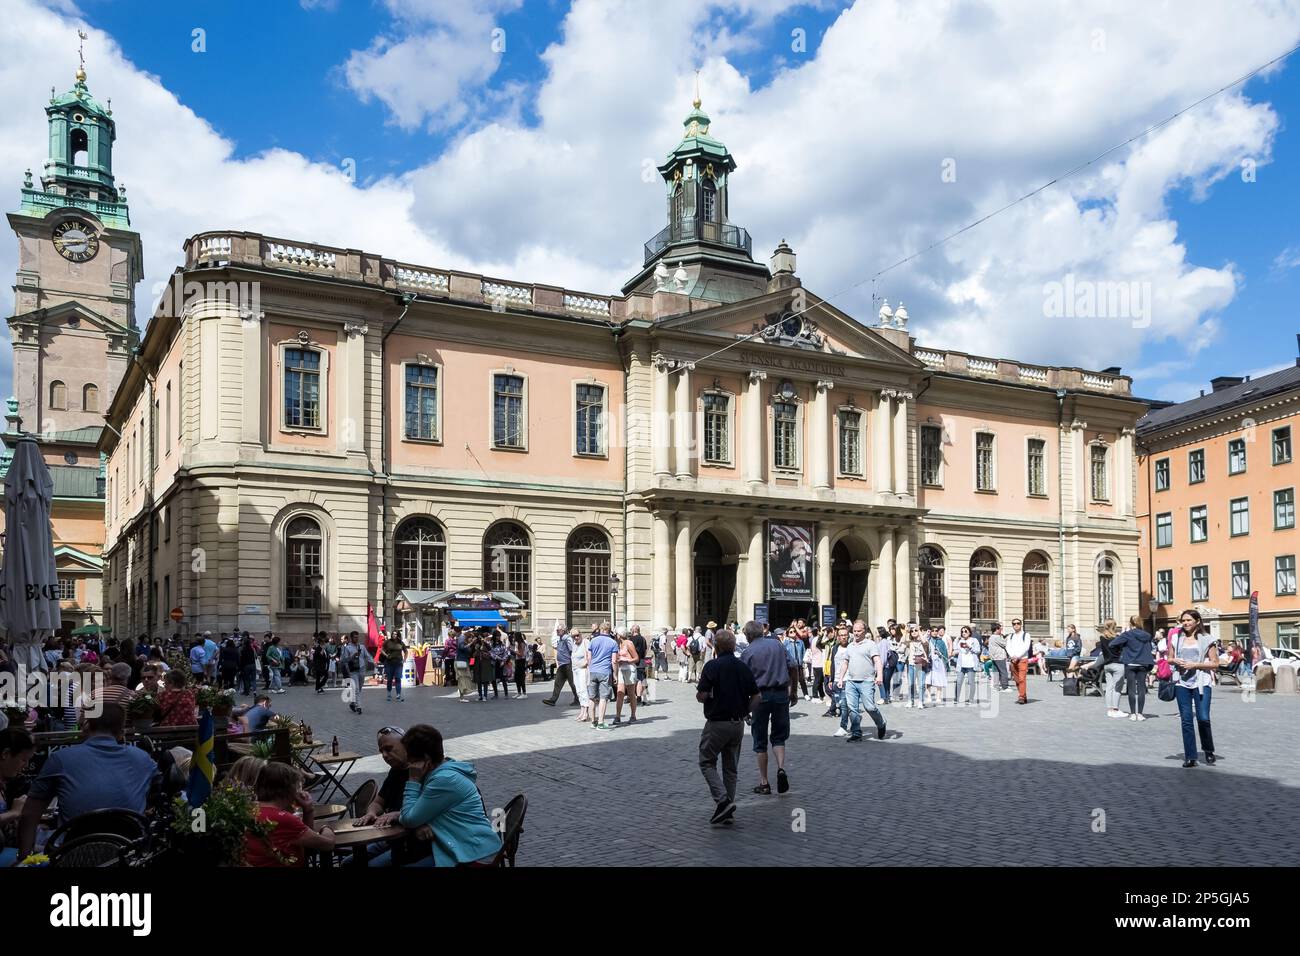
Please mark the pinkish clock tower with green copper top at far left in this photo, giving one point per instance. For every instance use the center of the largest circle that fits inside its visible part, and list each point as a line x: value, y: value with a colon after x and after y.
x: 73, y: 325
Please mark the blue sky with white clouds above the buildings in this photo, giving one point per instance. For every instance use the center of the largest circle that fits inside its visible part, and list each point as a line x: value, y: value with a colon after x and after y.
x: 527, y: 163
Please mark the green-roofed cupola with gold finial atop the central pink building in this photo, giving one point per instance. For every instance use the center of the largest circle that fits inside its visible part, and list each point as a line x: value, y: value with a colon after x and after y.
x: 700, y: 239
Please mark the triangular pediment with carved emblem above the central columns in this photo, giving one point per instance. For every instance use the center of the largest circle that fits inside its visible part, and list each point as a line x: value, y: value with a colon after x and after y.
x: 825, y: 330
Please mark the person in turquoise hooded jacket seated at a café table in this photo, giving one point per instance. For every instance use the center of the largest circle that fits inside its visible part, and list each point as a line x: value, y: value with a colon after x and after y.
x: 443, y: 804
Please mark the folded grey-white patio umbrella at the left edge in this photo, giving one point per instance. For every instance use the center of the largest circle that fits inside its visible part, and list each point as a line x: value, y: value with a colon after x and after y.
x: 29, y: 586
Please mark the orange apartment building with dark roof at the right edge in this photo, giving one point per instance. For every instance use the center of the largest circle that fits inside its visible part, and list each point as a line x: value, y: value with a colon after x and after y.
x: 1217, y: 507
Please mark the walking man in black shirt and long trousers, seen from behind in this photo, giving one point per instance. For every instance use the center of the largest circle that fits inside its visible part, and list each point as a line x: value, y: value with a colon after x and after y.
x: 729, y: 691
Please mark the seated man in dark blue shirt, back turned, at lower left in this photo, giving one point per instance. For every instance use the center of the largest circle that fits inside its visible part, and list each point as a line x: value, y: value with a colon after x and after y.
x: 98, y: 775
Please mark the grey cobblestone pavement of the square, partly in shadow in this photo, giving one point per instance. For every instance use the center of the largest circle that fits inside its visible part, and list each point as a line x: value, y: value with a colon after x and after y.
x: 1051, y: 784
